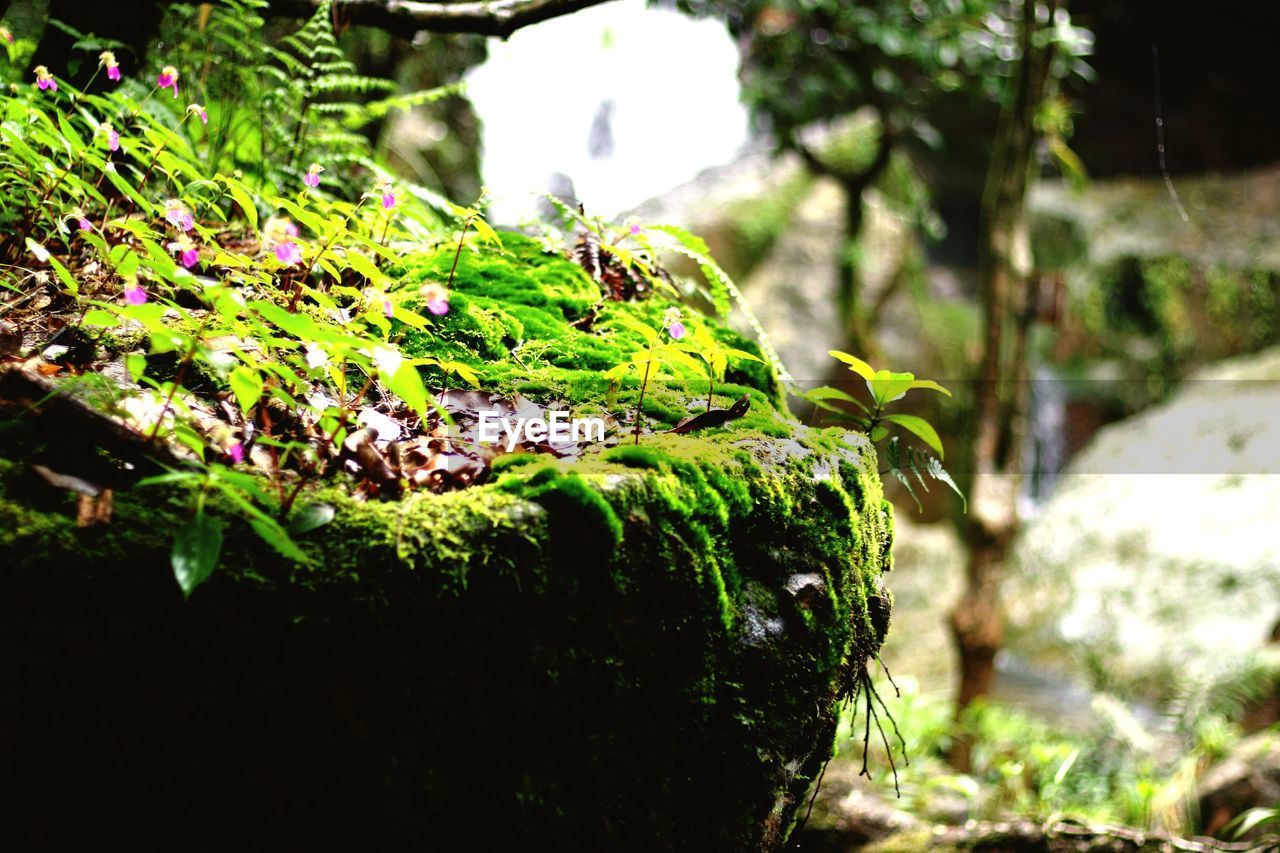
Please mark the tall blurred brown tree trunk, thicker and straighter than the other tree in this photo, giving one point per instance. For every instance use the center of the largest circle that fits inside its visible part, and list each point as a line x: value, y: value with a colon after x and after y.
x: 977, y: 621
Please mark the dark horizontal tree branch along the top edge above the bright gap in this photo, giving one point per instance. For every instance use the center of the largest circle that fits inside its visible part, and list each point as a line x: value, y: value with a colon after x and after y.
x: 409, y: 17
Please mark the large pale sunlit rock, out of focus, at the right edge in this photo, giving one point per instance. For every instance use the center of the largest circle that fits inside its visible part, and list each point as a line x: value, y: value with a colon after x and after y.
x: 1162, y: 548
